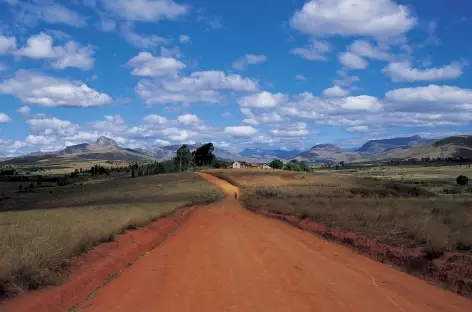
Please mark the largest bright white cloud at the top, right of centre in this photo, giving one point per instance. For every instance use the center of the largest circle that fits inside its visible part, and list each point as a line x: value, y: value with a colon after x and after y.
x: 376, y: 18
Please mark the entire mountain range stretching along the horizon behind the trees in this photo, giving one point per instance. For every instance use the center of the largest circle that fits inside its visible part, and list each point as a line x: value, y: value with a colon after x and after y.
x: 375, y: 150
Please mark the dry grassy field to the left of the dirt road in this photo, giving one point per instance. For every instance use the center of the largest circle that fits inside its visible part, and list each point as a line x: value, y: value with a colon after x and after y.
x: 40, y: 232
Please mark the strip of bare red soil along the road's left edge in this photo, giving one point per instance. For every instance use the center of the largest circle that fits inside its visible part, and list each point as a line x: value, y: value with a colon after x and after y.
x: 94, y: 268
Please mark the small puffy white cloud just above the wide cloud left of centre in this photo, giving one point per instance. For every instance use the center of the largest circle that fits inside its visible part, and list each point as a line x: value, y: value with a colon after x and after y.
x: 147, y: 65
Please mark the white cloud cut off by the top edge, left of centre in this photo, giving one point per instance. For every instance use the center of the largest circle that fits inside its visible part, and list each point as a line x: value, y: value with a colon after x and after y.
x: 146, y: 10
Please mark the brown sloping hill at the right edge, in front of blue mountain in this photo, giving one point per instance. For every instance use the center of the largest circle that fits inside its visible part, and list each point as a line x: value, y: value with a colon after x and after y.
x: 454, y: 146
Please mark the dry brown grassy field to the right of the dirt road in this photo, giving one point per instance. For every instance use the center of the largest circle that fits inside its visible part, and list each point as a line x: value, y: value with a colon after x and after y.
x: 375, y: 203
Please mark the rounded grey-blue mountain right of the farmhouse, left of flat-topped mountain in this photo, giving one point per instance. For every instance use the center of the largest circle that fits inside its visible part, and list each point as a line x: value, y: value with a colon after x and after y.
x: 328, y: 153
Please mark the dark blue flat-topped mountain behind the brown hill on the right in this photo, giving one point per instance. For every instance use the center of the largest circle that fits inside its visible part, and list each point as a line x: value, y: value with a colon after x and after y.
x: 380, y: 146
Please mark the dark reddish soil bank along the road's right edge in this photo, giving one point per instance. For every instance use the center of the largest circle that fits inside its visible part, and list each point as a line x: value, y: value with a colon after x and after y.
x: 452, y: 271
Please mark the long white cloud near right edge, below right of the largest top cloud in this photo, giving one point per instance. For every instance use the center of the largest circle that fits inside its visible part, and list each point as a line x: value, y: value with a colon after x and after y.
x: 402, y: 71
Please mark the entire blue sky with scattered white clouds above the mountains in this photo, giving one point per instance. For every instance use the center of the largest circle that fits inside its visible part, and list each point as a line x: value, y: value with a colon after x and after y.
x: 284, y: 74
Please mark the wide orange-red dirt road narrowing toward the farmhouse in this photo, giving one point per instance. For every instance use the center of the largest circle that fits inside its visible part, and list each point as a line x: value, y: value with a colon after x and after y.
x: 225, y: 258
